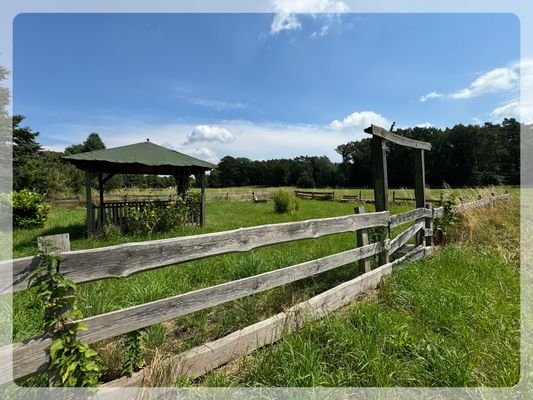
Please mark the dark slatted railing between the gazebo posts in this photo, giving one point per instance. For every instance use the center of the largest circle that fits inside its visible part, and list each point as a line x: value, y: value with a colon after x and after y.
x: 116, y: 213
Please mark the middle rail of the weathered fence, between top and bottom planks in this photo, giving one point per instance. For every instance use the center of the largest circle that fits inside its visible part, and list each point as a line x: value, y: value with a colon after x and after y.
x: 31, y: 357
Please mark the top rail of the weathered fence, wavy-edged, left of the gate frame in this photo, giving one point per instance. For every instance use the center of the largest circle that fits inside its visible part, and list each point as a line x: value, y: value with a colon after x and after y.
x: 126, y: 259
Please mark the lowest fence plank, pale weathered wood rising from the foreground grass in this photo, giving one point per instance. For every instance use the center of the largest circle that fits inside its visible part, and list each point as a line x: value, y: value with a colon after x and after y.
x: 202, y: 359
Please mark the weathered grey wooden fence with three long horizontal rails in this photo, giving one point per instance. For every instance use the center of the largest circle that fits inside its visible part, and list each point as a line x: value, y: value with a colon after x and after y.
x: 31, y: 356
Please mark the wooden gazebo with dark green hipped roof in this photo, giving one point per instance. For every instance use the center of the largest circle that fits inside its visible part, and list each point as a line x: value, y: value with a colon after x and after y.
x: 144, y: 158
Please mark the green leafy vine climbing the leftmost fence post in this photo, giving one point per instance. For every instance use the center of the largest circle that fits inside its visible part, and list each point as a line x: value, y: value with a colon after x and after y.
x: 72, y: 363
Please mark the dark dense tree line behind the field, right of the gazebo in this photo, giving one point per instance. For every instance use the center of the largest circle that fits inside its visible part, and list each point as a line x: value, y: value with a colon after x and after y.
x: 465, y: 155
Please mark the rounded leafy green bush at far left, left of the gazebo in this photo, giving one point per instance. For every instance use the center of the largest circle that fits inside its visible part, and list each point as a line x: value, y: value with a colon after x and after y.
x: 29, y: 209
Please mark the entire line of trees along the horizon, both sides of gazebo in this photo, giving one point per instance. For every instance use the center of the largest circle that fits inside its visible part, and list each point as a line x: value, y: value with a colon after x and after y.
x: 464, y: 155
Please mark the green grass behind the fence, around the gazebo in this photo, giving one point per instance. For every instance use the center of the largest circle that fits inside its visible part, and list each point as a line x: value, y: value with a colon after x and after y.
x: 191, y: 330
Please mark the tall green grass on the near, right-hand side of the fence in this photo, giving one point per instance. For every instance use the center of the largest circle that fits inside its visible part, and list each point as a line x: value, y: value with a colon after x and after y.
x: 450, y: 320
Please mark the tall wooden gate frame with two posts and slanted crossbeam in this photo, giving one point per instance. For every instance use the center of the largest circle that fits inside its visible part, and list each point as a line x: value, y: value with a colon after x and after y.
x: 380, y: 137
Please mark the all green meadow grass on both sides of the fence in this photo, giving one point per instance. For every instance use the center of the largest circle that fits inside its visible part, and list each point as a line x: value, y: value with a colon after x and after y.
x: 186, y: 332
